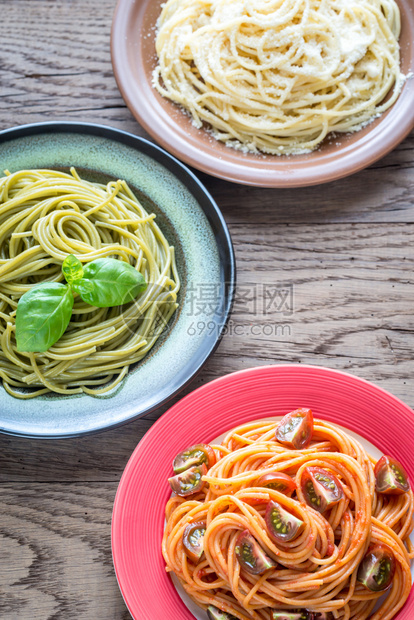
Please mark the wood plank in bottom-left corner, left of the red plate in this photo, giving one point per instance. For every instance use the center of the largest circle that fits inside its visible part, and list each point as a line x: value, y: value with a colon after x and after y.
x: 55, y: 543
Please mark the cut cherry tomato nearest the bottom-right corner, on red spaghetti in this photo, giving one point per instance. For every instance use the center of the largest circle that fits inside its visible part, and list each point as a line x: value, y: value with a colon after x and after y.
x: 377, y: 568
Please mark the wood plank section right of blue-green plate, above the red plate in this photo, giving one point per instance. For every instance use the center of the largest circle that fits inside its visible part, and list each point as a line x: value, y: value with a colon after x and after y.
x: 352, y: 297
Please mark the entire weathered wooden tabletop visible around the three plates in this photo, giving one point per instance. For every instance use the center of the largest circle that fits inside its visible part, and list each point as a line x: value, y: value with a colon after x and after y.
x: 343, y: 251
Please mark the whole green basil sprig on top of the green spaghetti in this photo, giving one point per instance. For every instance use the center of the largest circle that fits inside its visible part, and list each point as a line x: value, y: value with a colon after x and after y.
x: 44, y: 312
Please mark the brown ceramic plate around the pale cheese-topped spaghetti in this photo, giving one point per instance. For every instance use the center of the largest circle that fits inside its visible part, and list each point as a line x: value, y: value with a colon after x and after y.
x: 134, y: 58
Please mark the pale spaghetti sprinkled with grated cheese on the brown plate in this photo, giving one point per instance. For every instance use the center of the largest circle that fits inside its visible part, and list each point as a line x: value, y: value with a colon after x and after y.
x: 277, y: 76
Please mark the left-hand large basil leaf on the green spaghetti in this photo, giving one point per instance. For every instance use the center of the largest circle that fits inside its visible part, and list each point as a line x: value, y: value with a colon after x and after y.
x: 43, y: 314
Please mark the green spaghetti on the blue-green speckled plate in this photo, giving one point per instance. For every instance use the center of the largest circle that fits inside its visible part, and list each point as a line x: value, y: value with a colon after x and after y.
x: 46, y: 216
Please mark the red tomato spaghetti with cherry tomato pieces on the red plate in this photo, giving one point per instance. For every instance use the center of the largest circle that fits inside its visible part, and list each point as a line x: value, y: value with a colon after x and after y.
x: 294, y: 520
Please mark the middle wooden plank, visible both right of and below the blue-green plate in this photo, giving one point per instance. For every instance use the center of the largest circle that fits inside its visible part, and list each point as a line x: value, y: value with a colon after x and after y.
x: 351, y: 309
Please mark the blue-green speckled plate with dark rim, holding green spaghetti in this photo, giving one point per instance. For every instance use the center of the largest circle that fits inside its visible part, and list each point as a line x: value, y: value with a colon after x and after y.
x: 190, y: 220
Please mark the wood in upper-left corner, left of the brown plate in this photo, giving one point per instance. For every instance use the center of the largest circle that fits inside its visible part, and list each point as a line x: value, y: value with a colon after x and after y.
x: 56, y: 62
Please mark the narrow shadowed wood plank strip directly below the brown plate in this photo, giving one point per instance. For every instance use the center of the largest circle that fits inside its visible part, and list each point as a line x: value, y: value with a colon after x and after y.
x: 382, y: 193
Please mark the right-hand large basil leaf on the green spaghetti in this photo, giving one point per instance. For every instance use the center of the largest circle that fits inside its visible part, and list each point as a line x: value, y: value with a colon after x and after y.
x: 109, y: 282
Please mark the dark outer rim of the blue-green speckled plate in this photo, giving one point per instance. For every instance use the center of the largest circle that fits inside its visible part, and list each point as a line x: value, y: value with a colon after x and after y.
x: 215, y: 219
